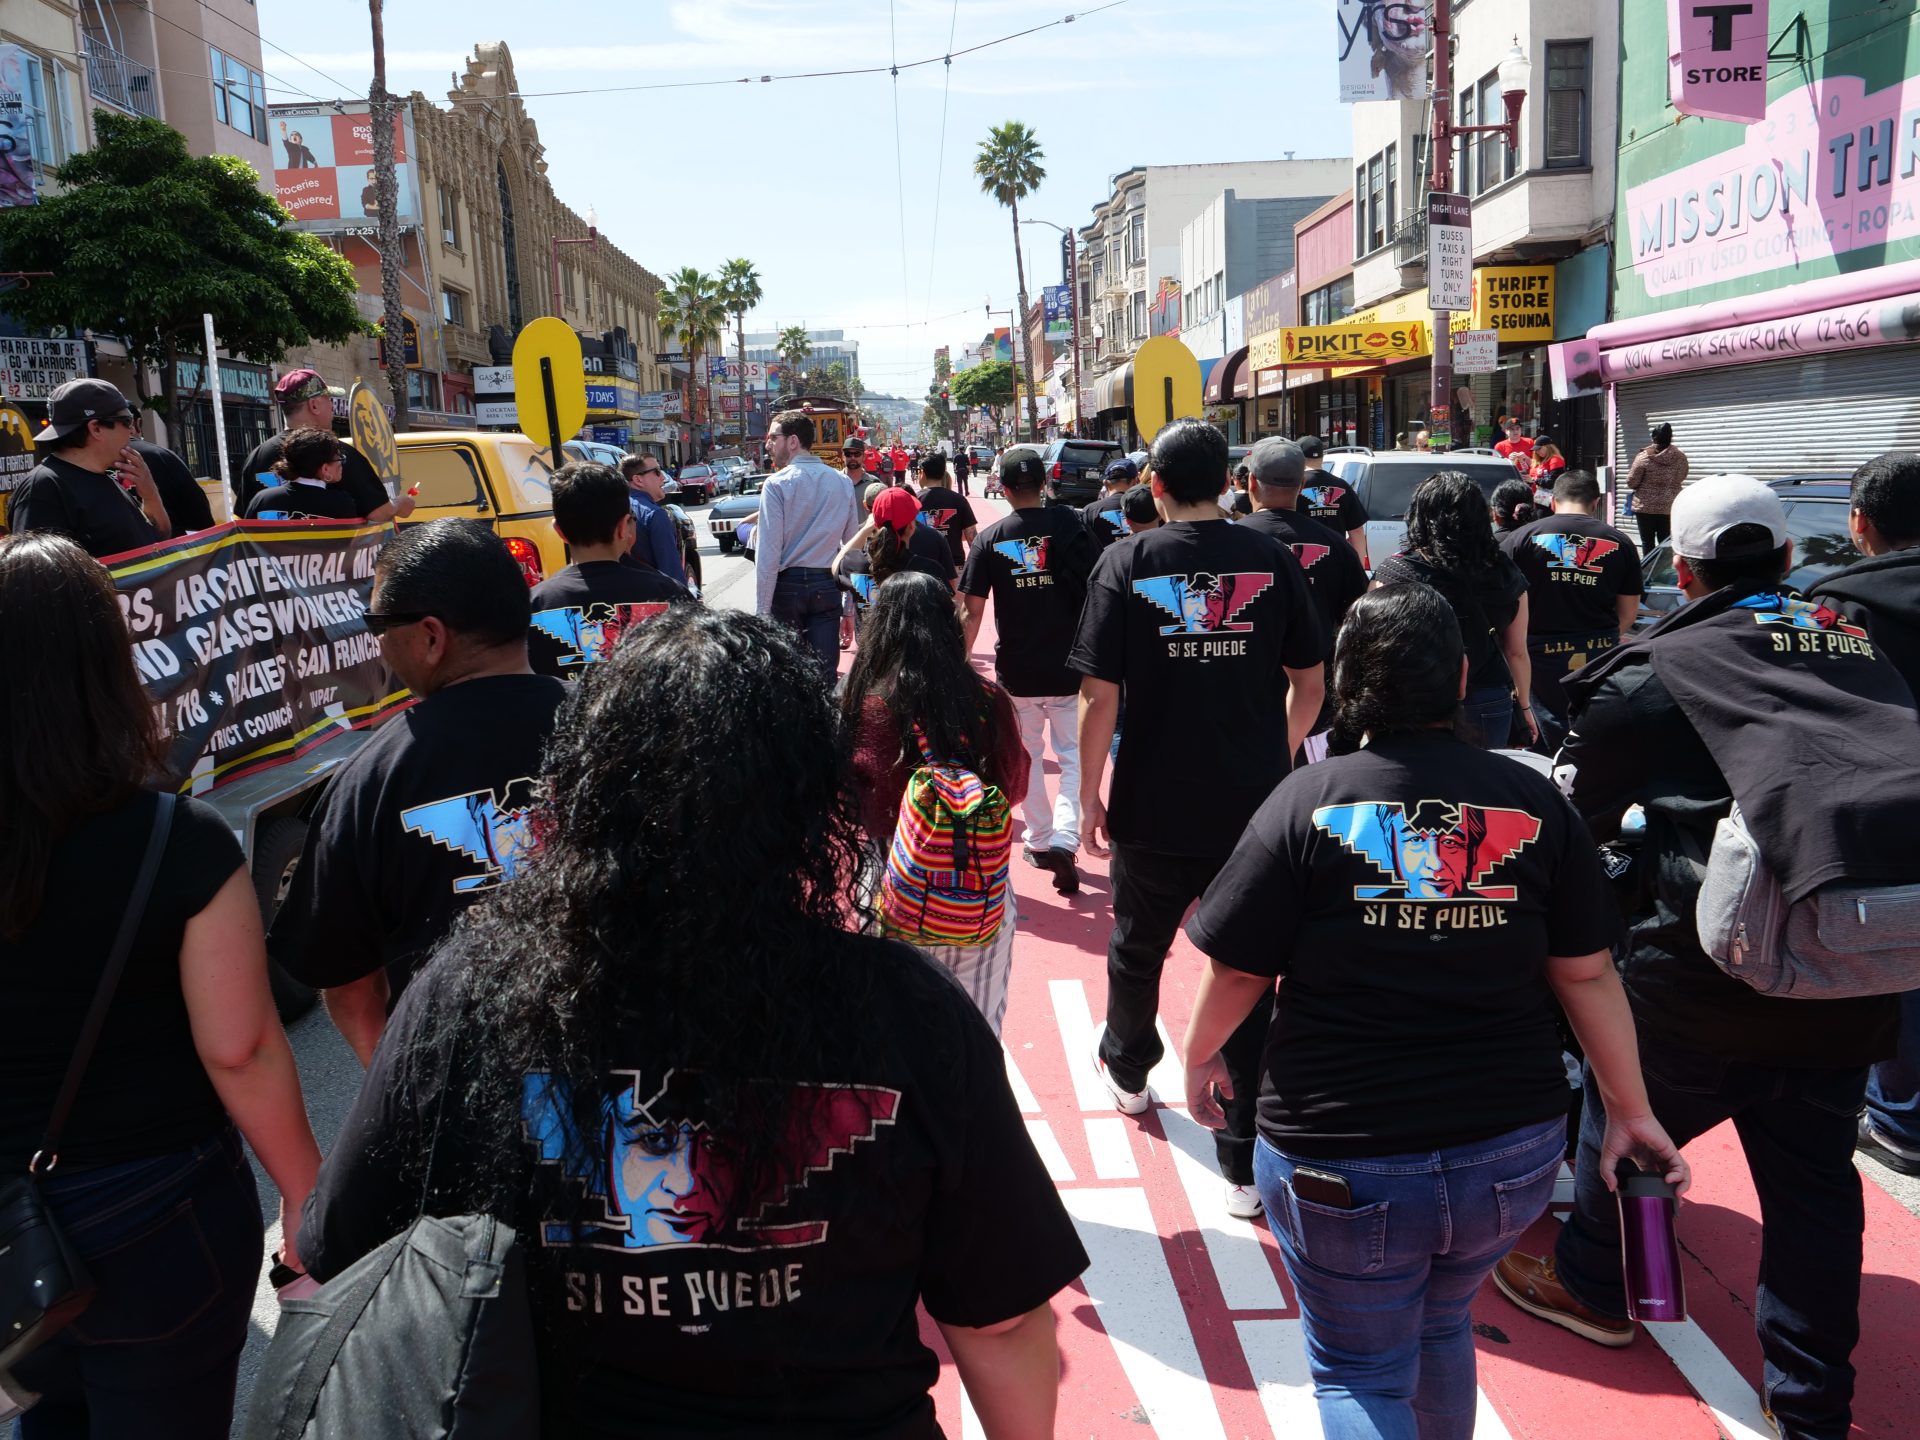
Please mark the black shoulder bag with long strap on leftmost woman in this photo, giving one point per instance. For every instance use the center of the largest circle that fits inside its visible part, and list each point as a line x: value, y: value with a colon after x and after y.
x: 43, y: 1284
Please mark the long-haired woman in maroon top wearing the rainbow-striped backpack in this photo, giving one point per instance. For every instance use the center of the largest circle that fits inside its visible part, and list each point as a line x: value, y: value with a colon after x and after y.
x: 915, y: 696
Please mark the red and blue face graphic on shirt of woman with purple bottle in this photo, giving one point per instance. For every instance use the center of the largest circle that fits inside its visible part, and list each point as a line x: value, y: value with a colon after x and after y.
x: 1437, y: 853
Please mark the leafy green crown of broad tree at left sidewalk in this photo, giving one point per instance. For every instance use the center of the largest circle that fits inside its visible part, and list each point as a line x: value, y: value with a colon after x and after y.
x: 145, y: 239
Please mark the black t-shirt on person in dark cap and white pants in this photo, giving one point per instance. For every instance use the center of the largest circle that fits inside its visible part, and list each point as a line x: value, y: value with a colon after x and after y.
x: 1034, y: 564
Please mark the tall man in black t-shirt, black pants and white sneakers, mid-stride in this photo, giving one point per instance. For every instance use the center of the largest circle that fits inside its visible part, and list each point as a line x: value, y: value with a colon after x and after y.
x: 1211, y: 631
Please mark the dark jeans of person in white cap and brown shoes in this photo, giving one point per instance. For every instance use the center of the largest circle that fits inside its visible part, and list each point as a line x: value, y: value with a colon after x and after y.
x: 1798, y: 1130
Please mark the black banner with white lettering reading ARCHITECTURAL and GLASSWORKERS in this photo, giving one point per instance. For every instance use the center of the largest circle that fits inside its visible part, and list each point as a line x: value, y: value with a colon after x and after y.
x: 252, y: 646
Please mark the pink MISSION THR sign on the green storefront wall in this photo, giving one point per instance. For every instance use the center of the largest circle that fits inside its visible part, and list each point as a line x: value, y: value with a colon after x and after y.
x: 1831, y: 170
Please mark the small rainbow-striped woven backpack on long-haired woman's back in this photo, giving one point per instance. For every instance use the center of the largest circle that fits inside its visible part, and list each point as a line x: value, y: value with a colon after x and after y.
x: 946, y: 880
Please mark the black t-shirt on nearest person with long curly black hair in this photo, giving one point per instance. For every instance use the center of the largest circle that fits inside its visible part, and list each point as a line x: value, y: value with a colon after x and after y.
x: 923, y: 1188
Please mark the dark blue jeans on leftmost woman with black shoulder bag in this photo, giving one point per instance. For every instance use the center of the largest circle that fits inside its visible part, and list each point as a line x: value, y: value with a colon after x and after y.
x: 174, y: 1247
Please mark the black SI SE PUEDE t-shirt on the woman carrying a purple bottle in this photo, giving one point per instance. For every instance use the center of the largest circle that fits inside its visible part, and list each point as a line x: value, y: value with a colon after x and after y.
x: 1410, y: 898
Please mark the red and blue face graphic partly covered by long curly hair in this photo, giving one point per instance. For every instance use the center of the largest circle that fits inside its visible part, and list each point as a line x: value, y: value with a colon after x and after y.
x: 661, y: 1182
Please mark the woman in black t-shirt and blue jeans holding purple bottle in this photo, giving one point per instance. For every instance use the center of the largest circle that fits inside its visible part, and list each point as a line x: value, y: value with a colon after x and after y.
x: 1422, y: 905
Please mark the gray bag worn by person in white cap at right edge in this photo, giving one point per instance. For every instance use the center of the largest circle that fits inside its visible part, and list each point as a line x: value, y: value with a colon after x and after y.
x: 1836, y: 944
